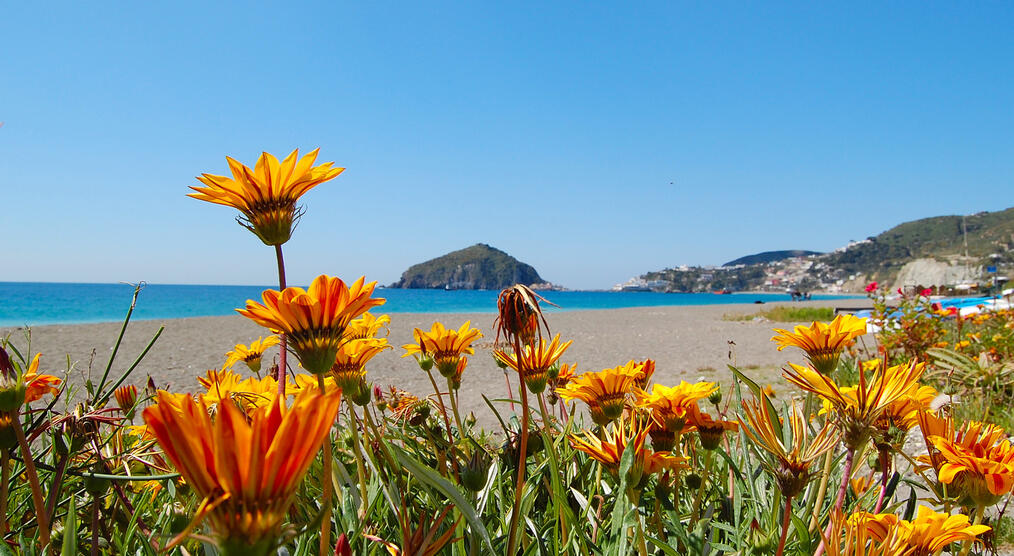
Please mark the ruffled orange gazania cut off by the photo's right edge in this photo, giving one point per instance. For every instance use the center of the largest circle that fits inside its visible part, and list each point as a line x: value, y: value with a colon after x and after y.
x: 979, y: 461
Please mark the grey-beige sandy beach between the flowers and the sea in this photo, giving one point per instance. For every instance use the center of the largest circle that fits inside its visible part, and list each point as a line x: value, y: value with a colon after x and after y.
x: 691, y: 343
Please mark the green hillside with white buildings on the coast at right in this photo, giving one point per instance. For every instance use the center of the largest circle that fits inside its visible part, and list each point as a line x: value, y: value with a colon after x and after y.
x: 943, y: 251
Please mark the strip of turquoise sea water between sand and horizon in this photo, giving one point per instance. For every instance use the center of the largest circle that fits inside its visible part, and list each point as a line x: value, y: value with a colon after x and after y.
x: 34, y: 304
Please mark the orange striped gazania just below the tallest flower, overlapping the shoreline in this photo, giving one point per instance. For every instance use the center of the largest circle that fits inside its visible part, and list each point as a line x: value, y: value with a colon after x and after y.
x: 314, y: 320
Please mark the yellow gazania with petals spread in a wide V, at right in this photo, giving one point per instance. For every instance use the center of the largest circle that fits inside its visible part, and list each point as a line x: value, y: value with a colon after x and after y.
x: 858, y: 409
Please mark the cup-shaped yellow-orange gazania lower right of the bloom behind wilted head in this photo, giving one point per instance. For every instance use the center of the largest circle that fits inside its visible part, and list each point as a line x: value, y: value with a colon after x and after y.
x: 605, y: 392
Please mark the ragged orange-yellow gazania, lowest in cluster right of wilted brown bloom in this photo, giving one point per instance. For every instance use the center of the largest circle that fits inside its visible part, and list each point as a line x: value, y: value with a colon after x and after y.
x: 628, y: 434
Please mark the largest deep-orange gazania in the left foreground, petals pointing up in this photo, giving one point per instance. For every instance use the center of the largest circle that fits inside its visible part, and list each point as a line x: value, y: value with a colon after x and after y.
x: 247, y: 468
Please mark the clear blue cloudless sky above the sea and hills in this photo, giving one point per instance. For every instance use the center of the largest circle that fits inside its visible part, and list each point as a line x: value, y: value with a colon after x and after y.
x: 594, y: 142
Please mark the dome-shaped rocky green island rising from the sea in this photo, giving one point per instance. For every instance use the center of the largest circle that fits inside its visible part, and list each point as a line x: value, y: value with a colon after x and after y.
x: 478, y: 267
